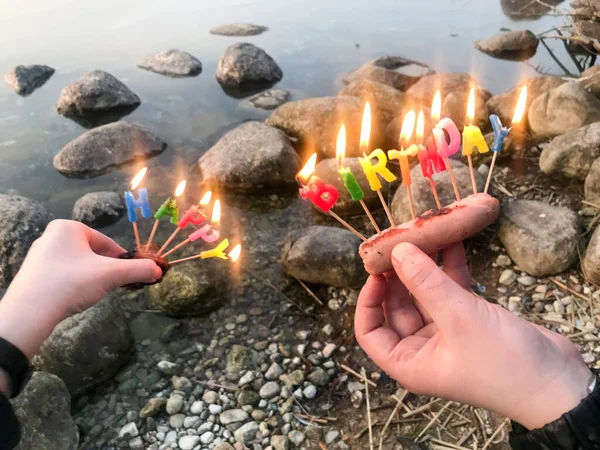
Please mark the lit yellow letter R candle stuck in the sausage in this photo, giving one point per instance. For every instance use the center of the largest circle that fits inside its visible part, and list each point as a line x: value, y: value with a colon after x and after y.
x: 380, y: 168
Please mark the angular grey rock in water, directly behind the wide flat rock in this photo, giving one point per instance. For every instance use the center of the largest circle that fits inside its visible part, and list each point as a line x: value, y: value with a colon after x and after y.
x: 96, y: 93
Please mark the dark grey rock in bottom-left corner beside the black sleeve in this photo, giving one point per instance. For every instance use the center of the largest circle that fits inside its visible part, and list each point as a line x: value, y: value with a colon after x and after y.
x: 44, y: 410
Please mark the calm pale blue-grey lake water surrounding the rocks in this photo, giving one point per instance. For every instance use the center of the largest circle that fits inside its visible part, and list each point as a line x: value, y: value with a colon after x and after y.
x: 315, y: 42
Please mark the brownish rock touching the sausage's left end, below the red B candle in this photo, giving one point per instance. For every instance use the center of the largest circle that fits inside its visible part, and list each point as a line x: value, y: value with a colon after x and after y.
x: 324, y: 255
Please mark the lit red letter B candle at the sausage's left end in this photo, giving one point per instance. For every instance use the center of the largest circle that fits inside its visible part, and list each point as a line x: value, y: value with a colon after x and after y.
x: 322, y: 195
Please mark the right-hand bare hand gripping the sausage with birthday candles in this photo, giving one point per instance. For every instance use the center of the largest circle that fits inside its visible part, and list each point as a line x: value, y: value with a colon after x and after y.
x: 425, y: 328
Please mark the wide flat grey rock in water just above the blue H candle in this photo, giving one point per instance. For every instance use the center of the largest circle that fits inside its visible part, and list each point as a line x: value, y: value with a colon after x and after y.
x: 107, y: 148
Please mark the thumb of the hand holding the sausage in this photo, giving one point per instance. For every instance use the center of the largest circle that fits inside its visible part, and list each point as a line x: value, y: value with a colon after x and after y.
x: 448, y: 304
